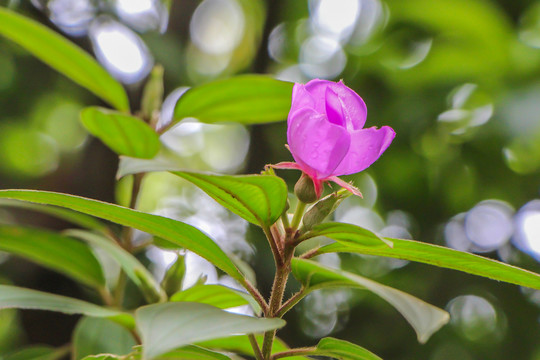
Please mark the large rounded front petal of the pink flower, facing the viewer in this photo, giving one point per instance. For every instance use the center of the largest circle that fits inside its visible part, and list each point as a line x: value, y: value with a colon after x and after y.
x: 315, y: 143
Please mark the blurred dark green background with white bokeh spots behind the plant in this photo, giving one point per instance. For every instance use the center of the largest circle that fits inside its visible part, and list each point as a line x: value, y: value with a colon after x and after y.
x: 459, y: 81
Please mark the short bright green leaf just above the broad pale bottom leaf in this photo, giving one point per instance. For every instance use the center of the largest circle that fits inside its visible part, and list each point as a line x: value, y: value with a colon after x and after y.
x: 216, y: 295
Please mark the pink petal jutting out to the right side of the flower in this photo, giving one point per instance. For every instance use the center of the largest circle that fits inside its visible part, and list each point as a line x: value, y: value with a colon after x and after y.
x: 367, y: 145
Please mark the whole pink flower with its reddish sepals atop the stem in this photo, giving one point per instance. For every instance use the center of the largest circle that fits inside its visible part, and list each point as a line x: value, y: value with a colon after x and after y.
x: 326, y: 136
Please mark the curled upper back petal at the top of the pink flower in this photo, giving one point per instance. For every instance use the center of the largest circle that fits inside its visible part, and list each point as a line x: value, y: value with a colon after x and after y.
x: 353, y: 106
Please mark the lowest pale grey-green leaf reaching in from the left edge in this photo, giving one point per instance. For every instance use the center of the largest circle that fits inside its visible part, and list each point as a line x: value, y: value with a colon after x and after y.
x: 13, y: 297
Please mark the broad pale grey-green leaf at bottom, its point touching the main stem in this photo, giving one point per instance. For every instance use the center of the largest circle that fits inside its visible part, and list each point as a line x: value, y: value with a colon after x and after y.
x: 164, y: 327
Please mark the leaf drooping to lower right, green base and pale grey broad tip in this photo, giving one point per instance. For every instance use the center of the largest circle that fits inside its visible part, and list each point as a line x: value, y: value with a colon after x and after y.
x: 423, y: 317
